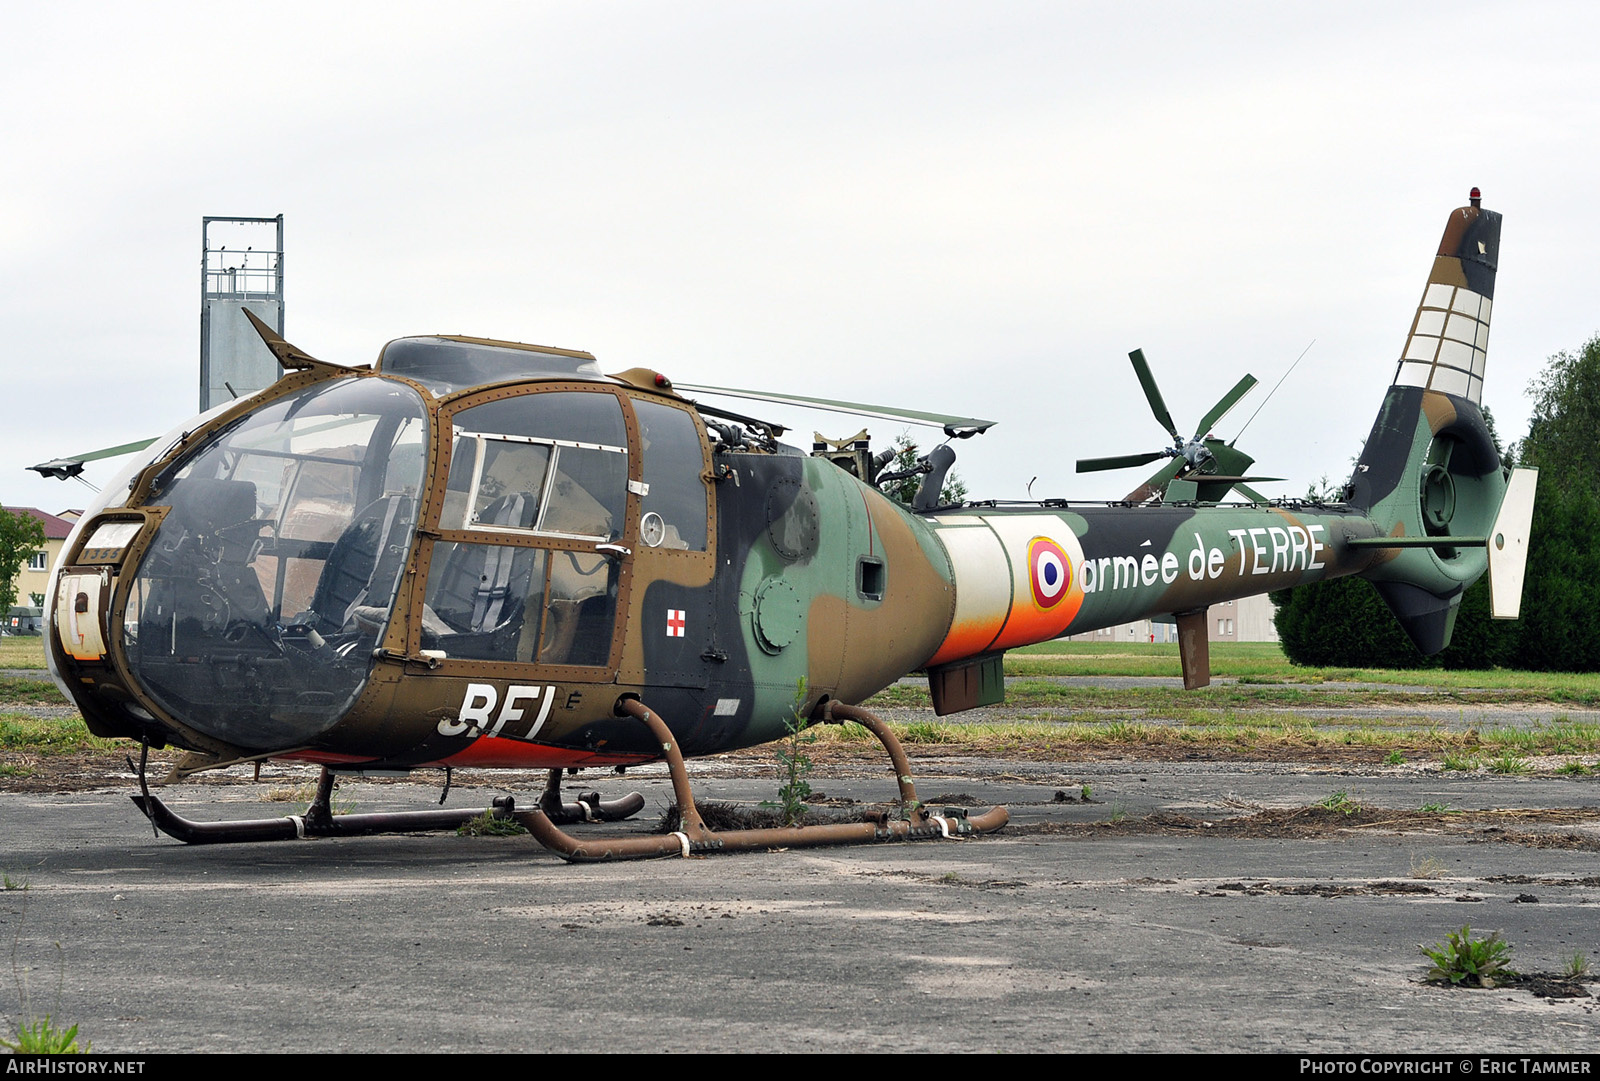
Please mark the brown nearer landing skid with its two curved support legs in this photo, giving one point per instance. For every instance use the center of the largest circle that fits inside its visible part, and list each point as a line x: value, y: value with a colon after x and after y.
x: 694, y: 837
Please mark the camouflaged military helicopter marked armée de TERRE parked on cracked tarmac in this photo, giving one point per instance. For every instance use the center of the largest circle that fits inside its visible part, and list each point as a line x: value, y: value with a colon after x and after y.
x: 486, y: 554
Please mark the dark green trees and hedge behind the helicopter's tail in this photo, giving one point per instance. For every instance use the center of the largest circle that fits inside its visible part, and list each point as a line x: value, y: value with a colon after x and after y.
x: 1346, y: 624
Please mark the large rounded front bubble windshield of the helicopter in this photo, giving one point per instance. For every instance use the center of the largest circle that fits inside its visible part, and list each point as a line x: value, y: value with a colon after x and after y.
x: 270, y: 583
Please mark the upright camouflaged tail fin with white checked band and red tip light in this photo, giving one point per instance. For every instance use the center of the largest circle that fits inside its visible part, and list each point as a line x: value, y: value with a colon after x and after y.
x: 1430, y: 469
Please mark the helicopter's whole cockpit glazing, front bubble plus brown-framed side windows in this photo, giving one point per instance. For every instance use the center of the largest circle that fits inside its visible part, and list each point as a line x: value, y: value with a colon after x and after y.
x: 279, y: 564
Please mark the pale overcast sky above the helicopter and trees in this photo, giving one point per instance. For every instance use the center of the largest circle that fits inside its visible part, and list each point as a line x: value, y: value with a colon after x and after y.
x: 964, y: 207
